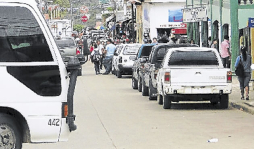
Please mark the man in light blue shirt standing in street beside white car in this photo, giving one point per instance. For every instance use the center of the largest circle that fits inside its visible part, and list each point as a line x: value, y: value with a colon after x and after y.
x: 109, y: 51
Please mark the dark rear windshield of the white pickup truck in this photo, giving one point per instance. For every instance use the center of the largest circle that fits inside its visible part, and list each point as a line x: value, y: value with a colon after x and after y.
x: 193, y: 58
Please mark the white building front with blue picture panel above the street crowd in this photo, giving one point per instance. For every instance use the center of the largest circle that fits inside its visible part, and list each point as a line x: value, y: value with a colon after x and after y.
x: 160, y: 16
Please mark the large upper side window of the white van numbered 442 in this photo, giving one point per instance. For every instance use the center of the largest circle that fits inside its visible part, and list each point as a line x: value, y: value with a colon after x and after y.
x: 21, y: 38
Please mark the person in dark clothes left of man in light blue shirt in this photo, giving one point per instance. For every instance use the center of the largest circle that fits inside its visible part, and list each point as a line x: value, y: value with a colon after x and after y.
x: 95, y: 58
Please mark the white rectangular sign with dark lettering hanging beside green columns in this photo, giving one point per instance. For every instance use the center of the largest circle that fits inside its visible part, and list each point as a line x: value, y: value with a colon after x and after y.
x: 194, y: 14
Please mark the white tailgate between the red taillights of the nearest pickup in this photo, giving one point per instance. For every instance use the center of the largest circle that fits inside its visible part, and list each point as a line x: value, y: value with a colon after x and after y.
x: 198, y: 76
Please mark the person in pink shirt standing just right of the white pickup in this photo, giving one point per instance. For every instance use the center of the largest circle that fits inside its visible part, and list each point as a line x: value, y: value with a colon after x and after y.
x: 225, y: 52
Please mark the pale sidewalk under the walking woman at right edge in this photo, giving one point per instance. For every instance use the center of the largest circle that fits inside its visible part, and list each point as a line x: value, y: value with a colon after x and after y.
x: 235, y: 98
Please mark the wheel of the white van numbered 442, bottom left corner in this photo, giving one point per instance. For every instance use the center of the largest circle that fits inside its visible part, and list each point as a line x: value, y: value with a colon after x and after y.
x: 10, y: 137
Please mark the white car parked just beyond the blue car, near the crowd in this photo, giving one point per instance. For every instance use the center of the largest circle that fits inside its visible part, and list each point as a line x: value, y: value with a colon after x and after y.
x: 125, y: 59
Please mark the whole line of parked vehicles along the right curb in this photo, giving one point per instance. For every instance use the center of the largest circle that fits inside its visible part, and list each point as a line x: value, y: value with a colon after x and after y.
x: 174, y: 72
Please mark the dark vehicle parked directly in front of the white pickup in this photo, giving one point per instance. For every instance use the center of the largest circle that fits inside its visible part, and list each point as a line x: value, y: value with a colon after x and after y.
x: 151, y: 67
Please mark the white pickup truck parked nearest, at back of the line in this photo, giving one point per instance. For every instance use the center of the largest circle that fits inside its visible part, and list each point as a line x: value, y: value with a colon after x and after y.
x: 193, y: 74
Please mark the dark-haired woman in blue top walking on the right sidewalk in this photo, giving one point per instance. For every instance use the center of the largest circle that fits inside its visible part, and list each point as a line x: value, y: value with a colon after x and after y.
x: 245, y: 60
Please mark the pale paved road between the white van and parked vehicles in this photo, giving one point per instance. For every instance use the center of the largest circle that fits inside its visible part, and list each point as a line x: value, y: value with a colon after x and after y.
x: 111, y: 115
